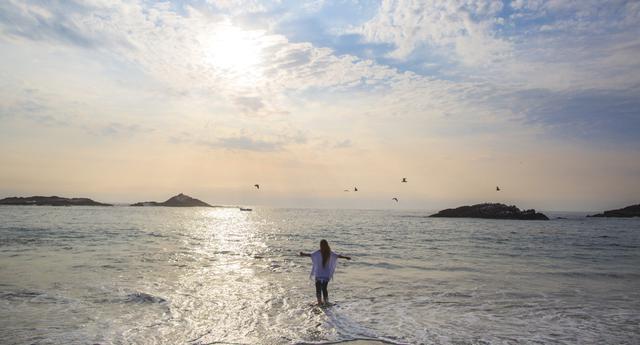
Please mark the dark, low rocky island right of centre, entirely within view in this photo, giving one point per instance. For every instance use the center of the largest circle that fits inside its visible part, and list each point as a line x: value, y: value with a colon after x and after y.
x: 491, y: 211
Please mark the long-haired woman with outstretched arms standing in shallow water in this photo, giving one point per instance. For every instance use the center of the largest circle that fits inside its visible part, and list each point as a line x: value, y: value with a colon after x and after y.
x: 324, y: 263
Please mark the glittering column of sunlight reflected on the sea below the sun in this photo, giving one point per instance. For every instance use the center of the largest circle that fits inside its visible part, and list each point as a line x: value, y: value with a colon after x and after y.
x: 231, y: 286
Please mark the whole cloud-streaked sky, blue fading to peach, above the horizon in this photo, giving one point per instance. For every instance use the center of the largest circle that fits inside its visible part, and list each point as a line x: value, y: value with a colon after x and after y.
x: 125, y: 101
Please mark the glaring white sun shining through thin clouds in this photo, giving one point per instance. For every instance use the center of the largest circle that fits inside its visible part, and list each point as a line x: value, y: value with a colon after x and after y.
x: 236, y: 53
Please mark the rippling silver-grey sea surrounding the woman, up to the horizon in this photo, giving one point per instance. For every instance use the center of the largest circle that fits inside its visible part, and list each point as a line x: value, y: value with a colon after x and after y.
x: 126, y: 275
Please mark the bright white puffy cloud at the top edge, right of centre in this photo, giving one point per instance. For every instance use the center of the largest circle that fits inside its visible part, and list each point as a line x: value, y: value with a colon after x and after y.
x: 456, y: 26
